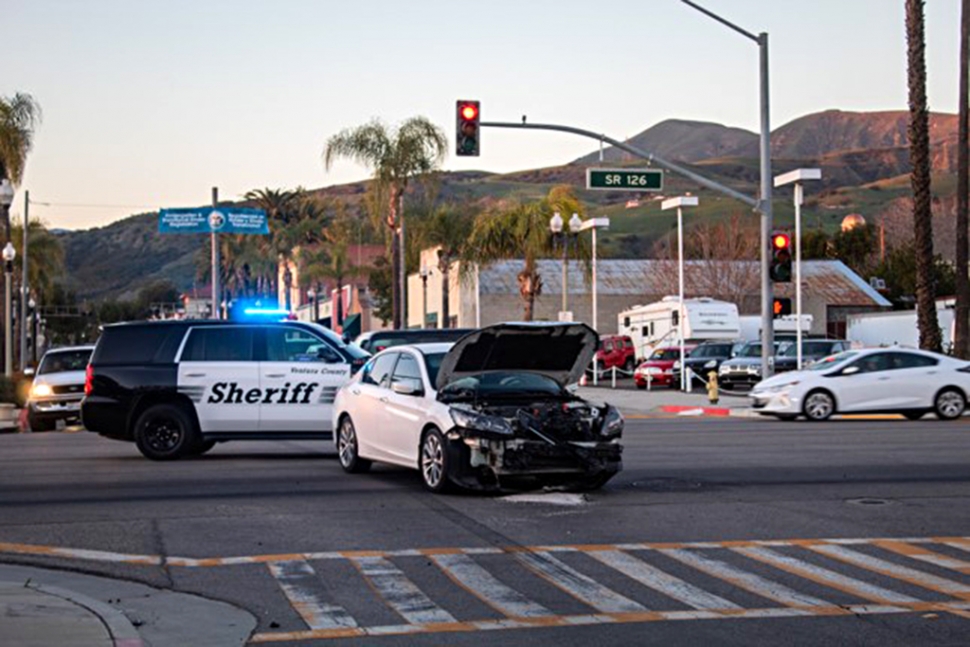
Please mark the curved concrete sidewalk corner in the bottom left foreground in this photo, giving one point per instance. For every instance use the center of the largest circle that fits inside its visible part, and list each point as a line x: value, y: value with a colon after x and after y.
x: 47, y: 608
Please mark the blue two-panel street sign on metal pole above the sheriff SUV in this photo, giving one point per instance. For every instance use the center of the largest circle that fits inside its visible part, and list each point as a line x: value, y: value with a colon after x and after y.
x: 213, y: 220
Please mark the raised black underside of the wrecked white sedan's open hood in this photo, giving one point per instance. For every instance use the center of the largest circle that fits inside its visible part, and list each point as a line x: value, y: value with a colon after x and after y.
x: 561, y: 351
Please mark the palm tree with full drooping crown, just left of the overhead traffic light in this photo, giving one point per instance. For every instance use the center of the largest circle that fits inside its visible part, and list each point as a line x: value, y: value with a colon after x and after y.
x: 396, y: 156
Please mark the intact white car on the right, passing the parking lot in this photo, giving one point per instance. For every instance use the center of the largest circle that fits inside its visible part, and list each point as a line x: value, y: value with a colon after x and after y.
x: 876, y: 380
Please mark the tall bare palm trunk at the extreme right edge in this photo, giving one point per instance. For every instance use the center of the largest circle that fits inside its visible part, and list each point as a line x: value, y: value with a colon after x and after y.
x: 962, y: 315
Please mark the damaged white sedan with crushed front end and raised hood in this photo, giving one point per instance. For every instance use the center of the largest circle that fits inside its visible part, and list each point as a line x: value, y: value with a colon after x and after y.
x: 488, y: 412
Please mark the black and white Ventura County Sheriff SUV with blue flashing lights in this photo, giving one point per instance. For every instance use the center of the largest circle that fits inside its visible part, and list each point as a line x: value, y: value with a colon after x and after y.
x: 176, y: 388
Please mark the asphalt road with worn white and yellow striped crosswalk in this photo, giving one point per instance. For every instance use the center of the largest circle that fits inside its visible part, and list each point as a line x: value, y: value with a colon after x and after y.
x: 702, y: 538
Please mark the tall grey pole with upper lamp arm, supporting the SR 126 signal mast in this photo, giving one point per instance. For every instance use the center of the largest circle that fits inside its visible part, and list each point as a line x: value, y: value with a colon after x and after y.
x: 764, y: 197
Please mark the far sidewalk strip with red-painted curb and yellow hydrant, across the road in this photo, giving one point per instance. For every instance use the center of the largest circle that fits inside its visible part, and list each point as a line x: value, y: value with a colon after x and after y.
x: 634, y: 402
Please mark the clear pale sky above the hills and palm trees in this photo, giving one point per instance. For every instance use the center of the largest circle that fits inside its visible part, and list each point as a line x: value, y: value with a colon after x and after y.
x: 149, y: 103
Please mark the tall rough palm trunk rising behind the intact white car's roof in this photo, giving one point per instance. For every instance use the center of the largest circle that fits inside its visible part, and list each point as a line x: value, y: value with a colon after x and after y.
x: 919, y: 146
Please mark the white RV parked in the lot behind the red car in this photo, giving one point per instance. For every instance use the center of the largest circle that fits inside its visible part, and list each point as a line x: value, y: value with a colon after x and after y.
x: 655, y: 324
